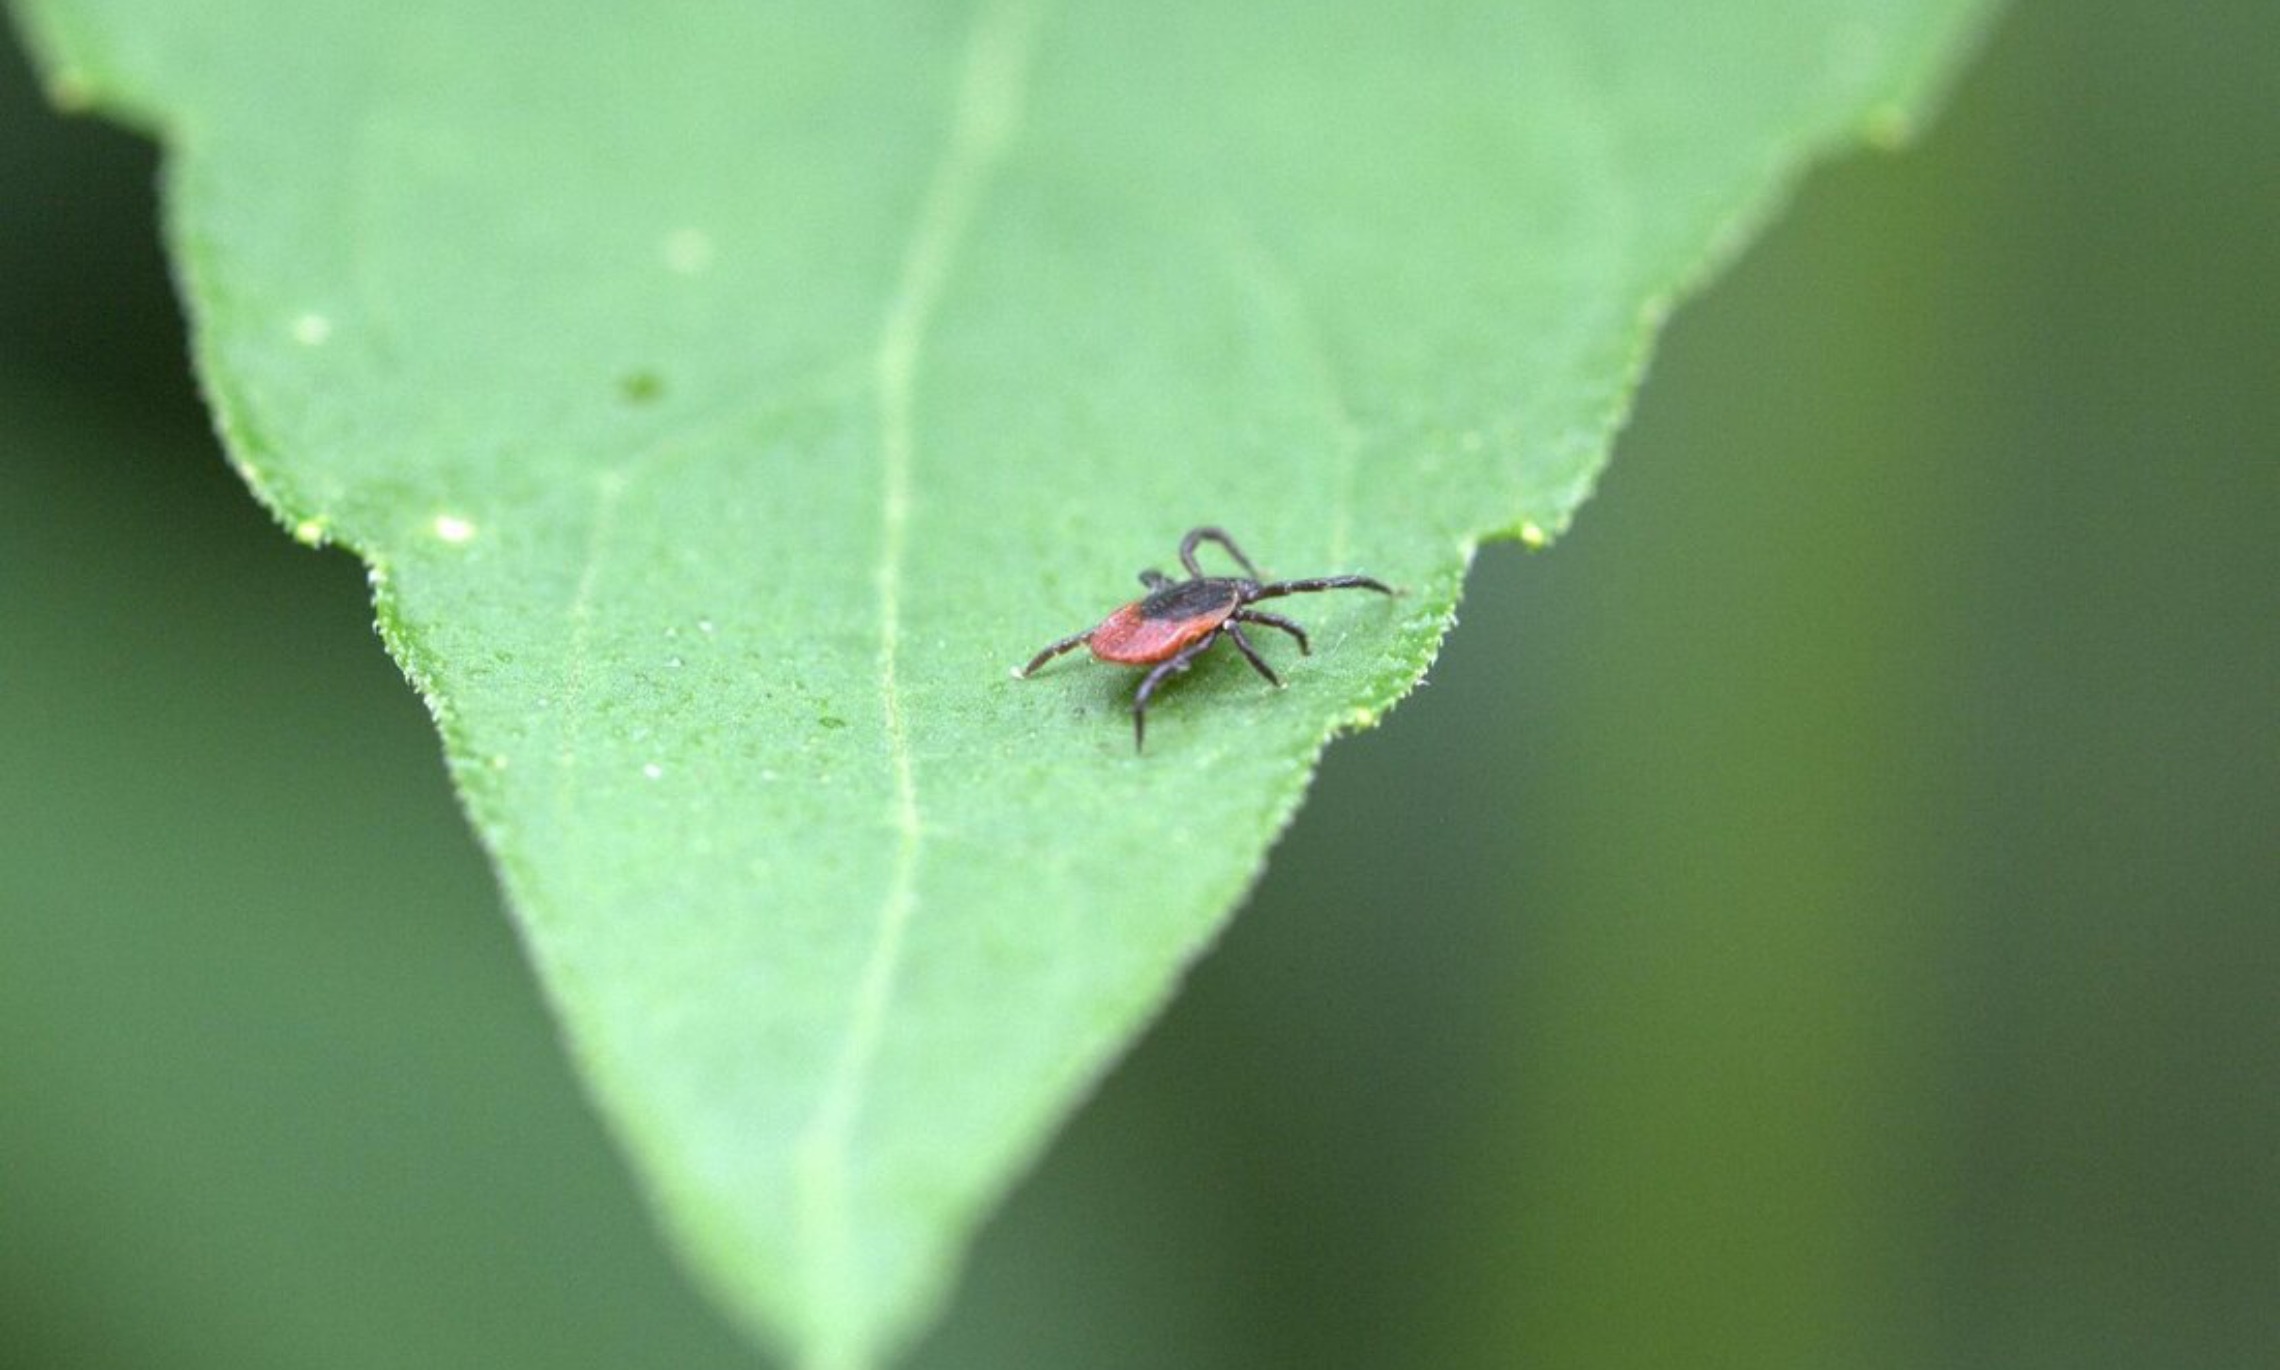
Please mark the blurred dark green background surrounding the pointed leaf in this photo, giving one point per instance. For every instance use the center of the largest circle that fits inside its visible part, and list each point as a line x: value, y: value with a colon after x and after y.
x: 1827, y: 913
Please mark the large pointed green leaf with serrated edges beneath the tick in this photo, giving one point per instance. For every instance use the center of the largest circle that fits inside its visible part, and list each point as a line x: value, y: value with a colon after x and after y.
x: 726, y: 398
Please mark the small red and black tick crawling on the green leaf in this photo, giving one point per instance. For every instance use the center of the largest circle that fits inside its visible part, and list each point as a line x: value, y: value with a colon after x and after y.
x: 1178, y: 621
